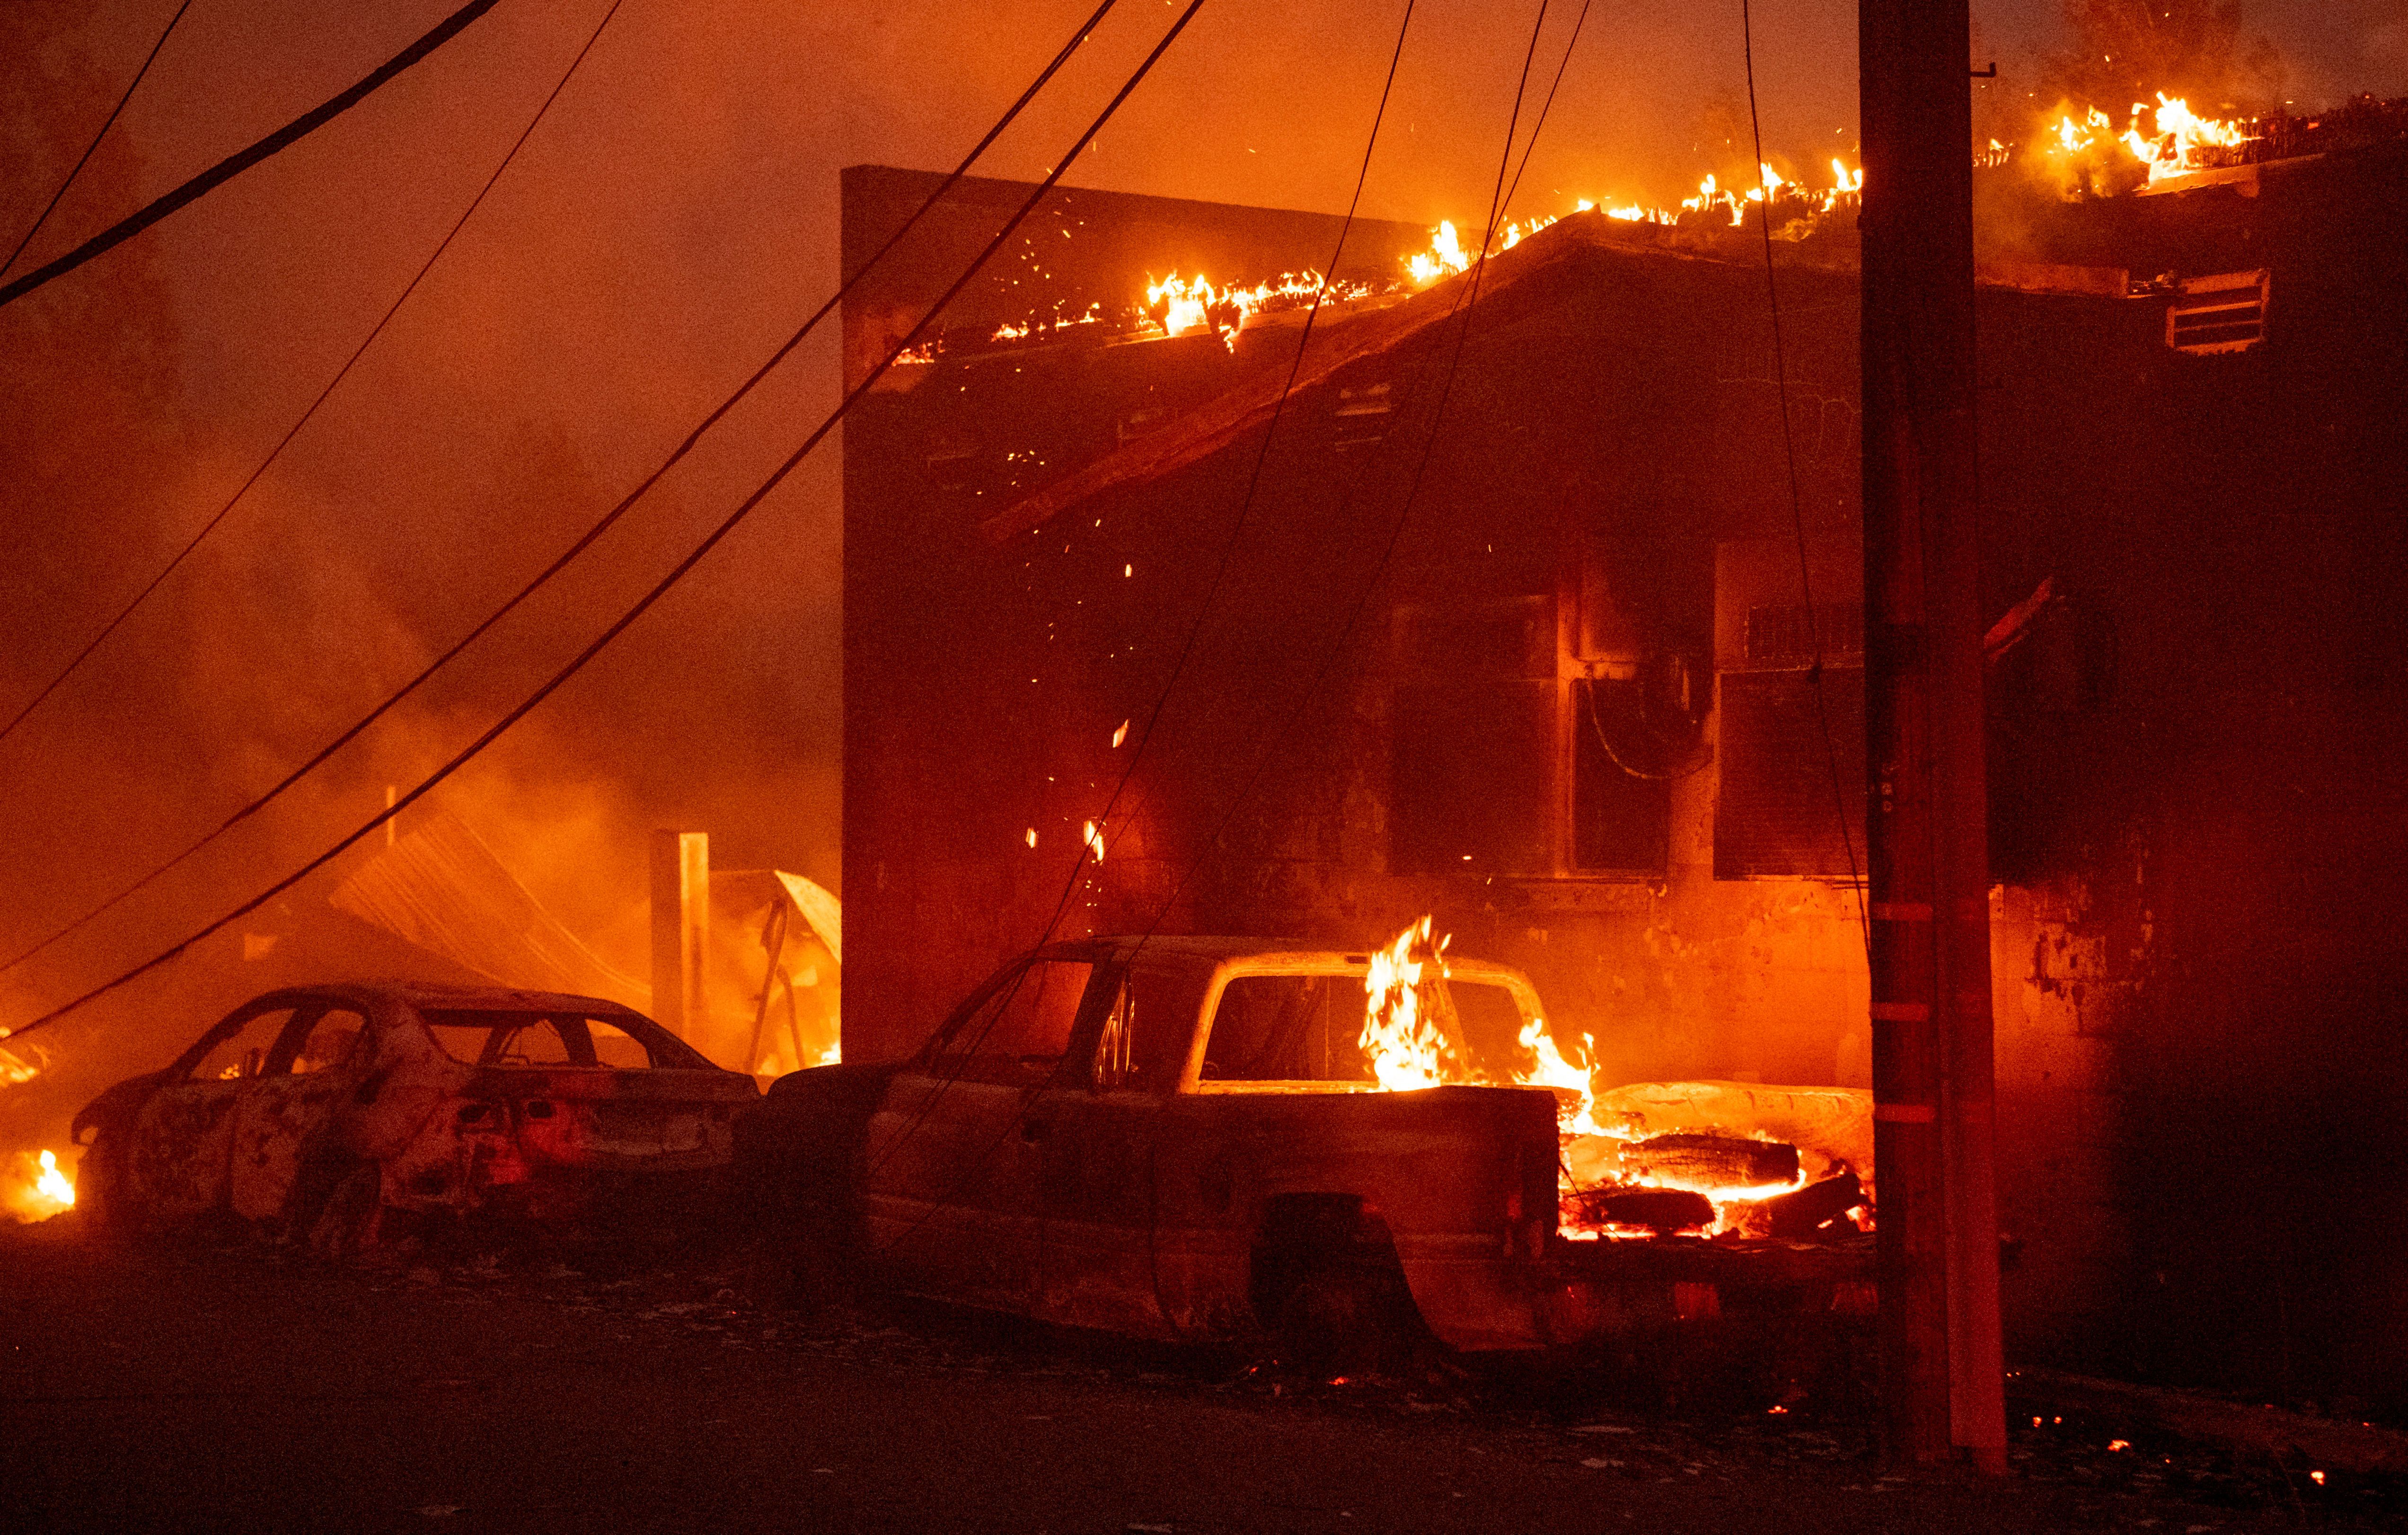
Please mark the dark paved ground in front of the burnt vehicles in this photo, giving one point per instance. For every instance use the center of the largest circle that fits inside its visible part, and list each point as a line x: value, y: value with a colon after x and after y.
x: 232, y: 1389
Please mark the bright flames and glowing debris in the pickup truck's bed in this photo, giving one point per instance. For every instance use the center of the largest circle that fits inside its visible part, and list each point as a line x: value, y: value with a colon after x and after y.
x: 1615, y: 1182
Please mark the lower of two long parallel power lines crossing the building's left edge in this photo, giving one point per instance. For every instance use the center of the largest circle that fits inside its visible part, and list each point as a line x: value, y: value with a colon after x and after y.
x: 675, y: 575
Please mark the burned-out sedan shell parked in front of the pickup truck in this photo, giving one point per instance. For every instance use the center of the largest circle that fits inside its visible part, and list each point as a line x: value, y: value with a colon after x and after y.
x: 343, y: 1115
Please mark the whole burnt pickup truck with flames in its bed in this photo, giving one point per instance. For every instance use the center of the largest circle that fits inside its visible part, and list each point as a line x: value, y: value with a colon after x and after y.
x: 1208, y: 1136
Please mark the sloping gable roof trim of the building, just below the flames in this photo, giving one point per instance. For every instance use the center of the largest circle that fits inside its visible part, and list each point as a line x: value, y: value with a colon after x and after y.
x: 1251, y: 406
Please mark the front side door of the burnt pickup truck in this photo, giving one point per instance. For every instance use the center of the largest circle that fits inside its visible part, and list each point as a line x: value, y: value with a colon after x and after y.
x: 952, y: 1155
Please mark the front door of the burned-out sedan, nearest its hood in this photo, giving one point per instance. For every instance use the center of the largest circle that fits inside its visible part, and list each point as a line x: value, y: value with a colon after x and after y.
x: 184, y: 1136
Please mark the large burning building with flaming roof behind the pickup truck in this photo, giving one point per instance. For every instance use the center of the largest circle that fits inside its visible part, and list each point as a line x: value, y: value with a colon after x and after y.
x: 1550, y: 625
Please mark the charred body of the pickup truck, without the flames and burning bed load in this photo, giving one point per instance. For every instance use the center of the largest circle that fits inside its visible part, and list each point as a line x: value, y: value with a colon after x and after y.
x: 1179, y: 1139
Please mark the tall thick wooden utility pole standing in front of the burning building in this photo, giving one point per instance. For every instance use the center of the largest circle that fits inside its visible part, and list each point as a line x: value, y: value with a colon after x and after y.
x: 1928, y: 828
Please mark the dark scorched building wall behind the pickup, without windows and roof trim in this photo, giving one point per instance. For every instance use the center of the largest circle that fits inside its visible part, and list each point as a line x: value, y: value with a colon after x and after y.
x: 2197, y: 804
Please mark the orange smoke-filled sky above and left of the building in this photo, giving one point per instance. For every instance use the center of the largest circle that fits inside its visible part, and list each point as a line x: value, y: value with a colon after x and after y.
x: 666, y: 228
